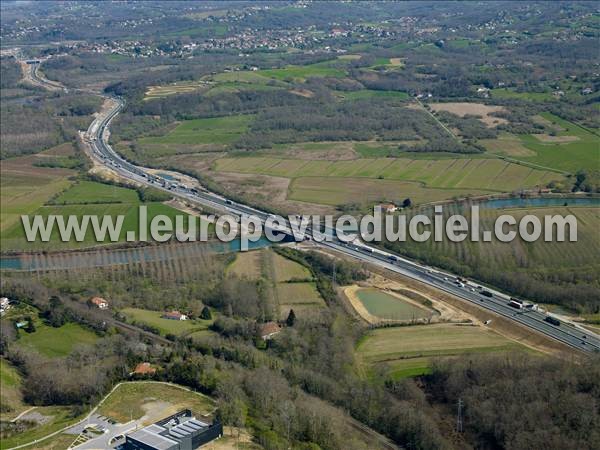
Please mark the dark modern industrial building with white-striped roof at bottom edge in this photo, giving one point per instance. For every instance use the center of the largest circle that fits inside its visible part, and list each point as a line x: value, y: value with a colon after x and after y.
x: 181, y: 431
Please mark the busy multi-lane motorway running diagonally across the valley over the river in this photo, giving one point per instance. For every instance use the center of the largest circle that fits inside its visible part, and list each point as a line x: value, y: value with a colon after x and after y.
x: 494, y: 301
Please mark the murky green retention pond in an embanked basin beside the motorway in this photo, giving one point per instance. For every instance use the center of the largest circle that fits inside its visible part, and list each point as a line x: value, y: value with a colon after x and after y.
x: 386, y: 306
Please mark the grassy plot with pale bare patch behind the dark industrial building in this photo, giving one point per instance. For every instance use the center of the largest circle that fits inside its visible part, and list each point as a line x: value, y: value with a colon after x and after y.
x: 153, y: 401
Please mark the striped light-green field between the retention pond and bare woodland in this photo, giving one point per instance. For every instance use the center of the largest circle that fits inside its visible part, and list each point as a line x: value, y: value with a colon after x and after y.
x: 407, y: 351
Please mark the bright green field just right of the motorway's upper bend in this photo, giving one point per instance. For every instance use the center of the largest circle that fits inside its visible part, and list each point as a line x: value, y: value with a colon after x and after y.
x: 216, y: 130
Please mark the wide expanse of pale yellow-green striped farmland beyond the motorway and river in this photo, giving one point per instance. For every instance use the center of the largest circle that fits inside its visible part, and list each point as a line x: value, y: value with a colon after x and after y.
x: 369, y: 179
